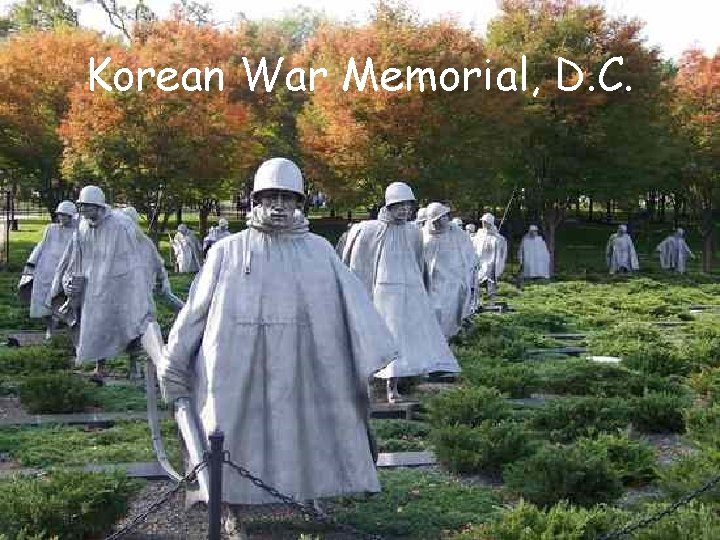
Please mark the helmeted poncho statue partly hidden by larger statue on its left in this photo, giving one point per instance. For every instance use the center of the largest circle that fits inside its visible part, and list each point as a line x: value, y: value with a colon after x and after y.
x: 452, y: 269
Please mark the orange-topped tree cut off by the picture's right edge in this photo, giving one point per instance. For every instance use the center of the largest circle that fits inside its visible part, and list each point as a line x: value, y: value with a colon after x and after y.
x: 697, y: 110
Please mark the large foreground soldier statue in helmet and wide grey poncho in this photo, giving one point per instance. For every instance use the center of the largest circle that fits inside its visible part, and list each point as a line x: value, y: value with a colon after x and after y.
x: 279, y: 339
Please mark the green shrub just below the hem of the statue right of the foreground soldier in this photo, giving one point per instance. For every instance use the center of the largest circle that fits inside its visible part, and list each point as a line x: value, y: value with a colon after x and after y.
x: 467, y: 406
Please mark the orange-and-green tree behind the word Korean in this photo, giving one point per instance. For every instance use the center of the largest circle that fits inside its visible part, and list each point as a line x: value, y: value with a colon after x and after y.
x: 156, y: 149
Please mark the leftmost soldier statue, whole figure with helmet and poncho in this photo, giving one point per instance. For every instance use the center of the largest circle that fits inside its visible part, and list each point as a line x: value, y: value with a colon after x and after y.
x: 40, y: 267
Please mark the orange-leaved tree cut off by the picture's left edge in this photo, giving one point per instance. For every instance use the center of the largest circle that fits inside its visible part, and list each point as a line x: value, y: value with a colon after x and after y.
x: 34, y: 99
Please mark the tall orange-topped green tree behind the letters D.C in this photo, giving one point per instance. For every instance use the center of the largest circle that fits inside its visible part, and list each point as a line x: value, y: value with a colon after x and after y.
x: 596, y: 143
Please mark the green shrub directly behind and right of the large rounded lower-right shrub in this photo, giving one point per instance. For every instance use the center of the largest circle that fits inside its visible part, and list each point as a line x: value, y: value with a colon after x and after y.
x: 633, y: 460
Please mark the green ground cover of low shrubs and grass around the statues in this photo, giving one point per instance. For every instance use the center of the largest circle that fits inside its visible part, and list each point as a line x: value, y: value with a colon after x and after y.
x: 559, y: 469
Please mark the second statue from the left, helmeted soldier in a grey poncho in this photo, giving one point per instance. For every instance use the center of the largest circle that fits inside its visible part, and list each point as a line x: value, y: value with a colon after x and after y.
x: 105, y: 283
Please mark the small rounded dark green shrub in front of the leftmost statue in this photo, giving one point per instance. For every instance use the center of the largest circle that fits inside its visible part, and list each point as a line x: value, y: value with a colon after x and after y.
x: 57, y: 393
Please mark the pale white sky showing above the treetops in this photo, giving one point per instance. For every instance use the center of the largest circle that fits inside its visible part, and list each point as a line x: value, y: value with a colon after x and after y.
x: 671, y: 25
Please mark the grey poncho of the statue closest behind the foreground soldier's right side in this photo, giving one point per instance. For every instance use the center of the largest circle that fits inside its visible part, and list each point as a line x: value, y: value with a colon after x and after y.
x: 388, y: 259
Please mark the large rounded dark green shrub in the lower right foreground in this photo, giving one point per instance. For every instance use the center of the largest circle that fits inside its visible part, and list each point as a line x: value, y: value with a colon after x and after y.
x: 556, y: 473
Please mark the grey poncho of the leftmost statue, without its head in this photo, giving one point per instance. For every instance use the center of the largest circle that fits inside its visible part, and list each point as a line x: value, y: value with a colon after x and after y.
x: 46, y: 256
